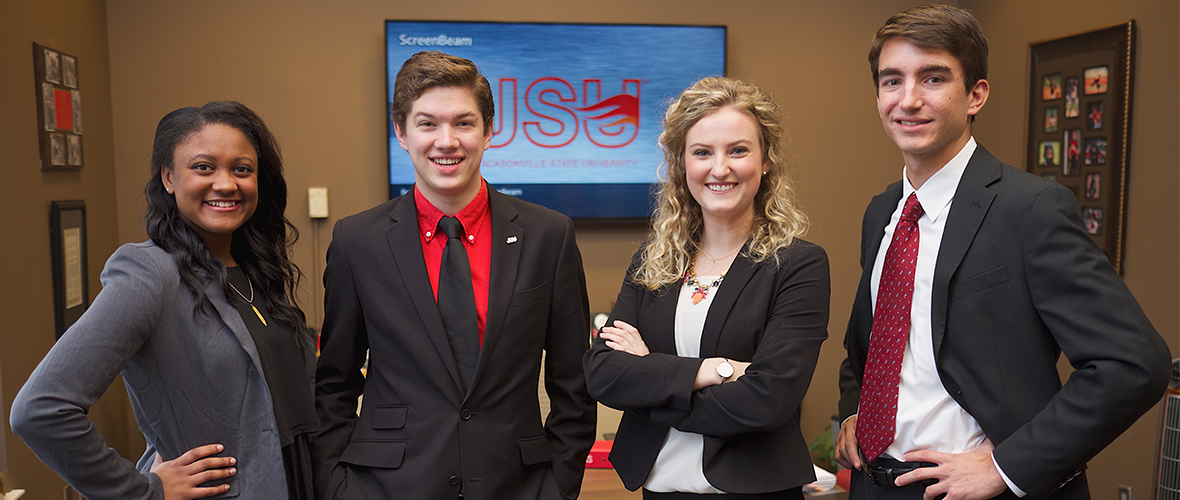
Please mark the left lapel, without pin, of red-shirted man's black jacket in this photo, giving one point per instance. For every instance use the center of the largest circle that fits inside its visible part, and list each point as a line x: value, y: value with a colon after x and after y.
x: 411, y: 266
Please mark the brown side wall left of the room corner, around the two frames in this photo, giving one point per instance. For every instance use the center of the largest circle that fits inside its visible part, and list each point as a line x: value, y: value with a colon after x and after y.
x: 77, y: 28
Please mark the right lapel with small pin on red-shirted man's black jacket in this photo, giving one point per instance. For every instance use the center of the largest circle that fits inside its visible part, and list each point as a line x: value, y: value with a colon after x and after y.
x: 508, y: 240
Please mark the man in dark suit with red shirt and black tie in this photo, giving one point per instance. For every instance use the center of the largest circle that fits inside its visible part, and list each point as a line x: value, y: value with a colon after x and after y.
x: 451, y: 407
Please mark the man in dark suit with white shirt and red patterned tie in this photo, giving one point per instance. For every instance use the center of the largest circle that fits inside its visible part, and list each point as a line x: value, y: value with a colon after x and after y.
x: 978, y: 277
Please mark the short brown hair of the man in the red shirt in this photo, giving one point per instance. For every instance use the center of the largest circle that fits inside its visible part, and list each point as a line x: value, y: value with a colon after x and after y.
x: 429, y: 70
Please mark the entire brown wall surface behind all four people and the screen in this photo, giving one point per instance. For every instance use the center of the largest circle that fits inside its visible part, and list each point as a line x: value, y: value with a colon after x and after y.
x: 316, y: 73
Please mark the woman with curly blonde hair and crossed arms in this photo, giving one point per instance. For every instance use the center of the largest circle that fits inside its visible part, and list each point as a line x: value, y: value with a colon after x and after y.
x: 713, y: 340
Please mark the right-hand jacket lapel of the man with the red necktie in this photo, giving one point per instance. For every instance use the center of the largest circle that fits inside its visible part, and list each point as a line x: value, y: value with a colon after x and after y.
x: 973, y: 199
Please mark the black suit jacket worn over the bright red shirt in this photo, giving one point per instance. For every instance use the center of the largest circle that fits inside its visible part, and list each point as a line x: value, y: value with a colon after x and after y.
x: 419, y: 433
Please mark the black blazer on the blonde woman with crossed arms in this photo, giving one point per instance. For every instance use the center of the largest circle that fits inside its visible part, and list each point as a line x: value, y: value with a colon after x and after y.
x: 773, y: 317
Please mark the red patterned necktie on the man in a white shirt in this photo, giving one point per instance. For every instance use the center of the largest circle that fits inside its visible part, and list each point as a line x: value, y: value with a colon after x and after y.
x: 877, y: 418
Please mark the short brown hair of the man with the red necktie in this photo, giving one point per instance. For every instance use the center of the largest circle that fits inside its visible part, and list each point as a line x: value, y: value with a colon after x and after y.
x: 938, y: 28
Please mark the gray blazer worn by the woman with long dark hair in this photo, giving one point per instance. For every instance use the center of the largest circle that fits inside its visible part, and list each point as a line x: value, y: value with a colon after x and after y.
x: 194, y: 380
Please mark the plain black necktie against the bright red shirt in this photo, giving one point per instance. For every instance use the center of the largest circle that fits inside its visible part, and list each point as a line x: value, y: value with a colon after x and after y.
x: 457, y: 300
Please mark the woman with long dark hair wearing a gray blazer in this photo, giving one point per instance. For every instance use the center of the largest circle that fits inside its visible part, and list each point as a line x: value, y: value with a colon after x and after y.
x: 201, y: 323
